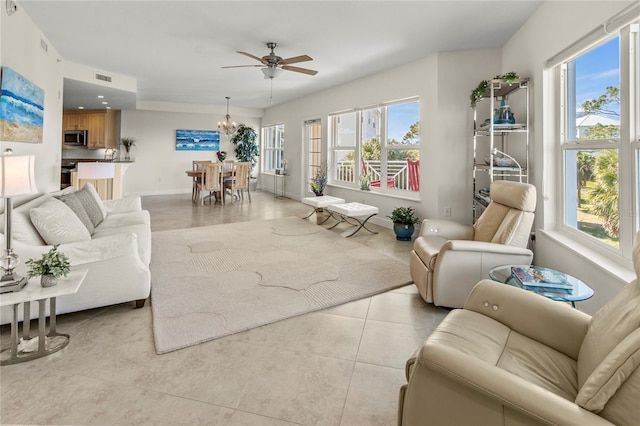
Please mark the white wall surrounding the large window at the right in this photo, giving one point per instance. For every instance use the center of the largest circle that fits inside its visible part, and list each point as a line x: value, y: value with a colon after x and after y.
x: 553, y: 27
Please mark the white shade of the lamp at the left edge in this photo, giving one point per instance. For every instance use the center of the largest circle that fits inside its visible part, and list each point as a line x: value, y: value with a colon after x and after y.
x: 17, y: 175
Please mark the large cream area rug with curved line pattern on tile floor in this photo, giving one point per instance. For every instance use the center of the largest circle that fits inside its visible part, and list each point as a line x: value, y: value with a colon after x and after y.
x: 218, y: 280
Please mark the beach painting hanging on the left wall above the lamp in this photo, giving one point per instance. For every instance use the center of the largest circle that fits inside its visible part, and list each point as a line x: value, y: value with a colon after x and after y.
x: 21, y: 108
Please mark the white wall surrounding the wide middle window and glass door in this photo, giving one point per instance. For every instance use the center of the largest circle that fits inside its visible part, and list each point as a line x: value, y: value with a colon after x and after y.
x: 443, y: 83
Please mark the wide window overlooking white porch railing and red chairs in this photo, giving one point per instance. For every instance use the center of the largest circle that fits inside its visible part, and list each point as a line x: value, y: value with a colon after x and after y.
x: 384, y: 146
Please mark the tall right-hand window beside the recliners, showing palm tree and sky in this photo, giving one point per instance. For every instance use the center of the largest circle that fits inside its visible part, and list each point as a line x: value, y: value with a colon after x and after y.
x: 599, y: 142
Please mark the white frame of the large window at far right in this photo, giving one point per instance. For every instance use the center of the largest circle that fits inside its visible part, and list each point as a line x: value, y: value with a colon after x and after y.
x: 627, y: 144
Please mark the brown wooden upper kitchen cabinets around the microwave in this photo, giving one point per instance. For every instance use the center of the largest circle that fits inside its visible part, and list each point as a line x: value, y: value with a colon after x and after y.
x: 100, y: 124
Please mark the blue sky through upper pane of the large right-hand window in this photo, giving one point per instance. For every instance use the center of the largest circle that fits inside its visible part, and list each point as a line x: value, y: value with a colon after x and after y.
x: 596, y: 70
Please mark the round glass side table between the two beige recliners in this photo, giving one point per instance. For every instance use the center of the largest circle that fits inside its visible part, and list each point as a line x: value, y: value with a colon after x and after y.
x: 576, y: 290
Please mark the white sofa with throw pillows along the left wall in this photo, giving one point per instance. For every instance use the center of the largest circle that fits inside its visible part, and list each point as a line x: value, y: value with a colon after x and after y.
x: 116, y: 254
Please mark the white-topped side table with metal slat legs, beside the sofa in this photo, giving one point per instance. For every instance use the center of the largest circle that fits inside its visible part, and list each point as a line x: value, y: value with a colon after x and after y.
x: 50, y: 342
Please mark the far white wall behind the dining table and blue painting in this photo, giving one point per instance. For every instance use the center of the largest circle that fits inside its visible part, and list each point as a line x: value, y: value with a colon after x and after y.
x: 158, y: 167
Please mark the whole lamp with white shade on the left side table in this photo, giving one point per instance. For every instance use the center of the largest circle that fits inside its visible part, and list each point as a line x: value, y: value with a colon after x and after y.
x: 17, y: 178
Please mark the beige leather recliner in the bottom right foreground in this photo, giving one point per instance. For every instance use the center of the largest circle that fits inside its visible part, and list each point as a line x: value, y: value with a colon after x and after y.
x: 512, y: 357
